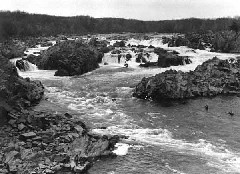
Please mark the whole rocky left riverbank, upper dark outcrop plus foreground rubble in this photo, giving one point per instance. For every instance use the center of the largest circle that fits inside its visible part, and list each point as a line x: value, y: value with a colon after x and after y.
x: 41, y: 142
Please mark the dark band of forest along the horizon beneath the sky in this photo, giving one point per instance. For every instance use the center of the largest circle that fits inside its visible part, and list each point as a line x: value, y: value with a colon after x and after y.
x: 21, y: 24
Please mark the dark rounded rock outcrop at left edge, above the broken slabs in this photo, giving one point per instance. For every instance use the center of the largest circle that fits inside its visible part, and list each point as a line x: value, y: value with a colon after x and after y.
x: 15, y: 90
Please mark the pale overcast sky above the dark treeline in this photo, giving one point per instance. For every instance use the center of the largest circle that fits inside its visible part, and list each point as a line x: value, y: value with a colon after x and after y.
x: 129, y: 9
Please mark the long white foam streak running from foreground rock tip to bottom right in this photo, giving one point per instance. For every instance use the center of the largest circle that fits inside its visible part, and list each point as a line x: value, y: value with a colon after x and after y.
x: 218, y: 155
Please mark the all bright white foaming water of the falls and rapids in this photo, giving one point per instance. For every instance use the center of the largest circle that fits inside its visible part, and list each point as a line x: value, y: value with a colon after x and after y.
x: 99, y: 106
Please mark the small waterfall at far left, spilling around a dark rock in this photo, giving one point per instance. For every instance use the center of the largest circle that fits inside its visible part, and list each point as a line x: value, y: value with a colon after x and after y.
x: 23, y: 65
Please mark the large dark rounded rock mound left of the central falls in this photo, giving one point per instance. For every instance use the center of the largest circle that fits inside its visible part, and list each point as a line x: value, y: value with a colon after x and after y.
x: 69, y: 58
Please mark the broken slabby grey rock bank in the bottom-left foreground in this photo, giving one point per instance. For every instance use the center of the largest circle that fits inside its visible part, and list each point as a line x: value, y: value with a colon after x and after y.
x: 39, y: 142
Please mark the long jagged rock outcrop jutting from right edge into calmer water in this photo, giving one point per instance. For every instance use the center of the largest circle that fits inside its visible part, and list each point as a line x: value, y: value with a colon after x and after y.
x: 212, y: 78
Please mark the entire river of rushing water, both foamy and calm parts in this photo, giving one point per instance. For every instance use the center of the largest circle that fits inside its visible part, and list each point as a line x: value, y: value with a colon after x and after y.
x: 181, y: 138
